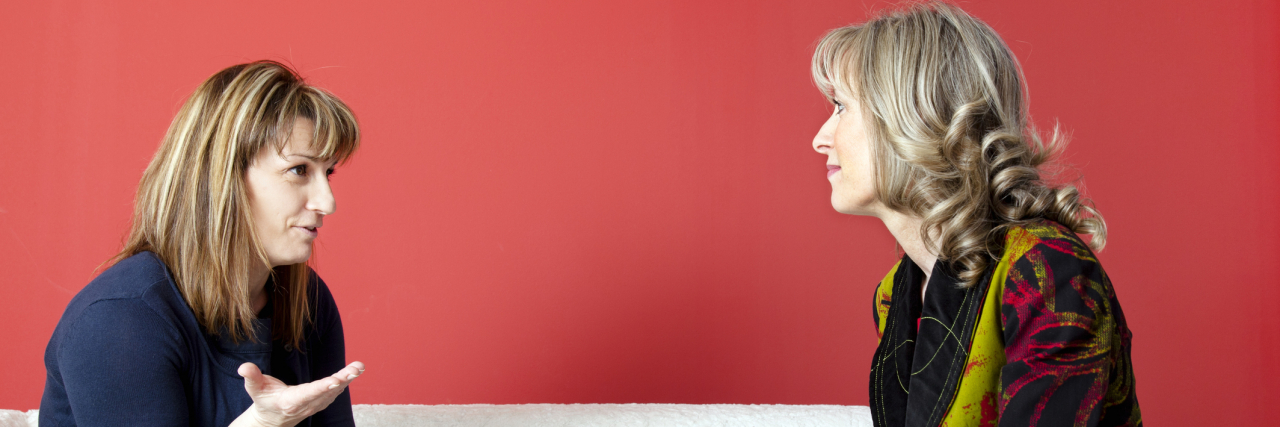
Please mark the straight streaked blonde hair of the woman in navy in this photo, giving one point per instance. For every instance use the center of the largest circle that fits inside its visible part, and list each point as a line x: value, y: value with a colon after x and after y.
x: 193, y: 209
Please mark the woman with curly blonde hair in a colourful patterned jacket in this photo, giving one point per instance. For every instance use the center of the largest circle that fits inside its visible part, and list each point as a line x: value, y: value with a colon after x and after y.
x: 999, y: 313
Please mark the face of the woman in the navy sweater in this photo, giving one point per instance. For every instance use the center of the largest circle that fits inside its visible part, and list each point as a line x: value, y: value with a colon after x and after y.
x: 290, y: 196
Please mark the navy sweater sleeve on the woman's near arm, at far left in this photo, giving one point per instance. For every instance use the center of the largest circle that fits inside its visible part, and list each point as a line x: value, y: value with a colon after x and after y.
x: 122, y: 366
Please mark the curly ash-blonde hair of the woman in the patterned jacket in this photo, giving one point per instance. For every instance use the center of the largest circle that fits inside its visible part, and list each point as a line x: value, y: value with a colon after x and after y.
x: 952, y: 141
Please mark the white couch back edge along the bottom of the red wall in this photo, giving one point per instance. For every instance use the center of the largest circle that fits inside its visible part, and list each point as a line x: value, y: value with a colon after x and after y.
x: 582, y: 416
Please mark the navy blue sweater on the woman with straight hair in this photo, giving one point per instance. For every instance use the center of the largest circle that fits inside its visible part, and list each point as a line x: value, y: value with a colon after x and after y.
x: 130, y: 352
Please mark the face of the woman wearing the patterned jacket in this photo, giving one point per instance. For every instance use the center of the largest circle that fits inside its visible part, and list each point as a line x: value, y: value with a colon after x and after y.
x: 849, y: 159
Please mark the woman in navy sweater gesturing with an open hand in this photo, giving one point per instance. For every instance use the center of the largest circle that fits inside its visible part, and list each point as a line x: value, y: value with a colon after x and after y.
x: 211, y: 315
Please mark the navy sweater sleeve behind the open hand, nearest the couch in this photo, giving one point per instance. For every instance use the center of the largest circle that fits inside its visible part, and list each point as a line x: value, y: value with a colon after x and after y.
x: 330, y: 356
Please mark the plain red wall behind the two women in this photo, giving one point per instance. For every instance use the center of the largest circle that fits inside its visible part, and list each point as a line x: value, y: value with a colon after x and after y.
x: 614, y: 203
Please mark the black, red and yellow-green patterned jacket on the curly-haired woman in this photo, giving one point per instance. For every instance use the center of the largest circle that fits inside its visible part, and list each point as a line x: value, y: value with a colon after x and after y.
x: 1041, y: 342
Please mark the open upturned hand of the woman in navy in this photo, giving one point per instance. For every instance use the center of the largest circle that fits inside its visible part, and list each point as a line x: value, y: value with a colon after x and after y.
x: 278, y: 405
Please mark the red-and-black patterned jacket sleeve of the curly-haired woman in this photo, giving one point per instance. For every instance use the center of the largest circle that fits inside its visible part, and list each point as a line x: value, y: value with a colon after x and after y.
x: 1058, y: 329
